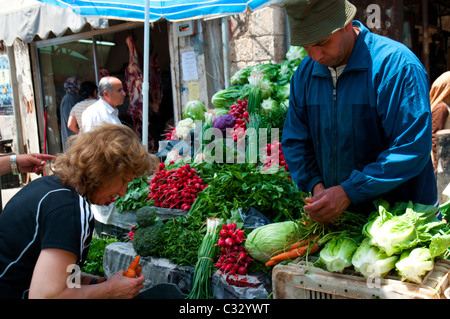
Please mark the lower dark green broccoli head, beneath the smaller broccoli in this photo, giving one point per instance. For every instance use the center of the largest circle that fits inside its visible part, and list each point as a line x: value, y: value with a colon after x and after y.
x: 146, y: 239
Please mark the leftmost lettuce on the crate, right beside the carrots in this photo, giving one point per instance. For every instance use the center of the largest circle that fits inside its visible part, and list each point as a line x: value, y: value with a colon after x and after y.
x: 337, y: 253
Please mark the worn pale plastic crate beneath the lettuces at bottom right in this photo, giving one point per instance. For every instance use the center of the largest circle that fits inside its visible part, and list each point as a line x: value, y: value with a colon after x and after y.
x: 304, y: 281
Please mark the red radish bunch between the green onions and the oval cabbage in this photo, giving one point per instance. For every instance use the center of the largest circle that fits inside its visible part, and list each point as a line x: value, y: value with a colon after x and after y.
x: 233, y: 258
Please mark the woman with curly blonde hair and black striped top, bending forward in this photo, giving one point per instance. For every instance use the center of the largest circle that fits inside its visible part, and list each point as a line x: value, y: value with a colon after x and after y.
x: 46, y: 228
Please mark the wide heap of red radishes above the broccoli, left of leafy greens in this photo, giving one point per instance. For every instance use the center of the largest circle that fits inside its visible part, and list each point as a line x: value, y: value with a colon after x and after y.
x: 176, y: 188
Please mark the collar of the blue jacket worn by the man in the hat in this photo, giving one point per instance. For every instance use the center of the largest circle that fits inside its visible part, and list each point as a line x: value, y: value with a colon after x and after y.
x: 360, y: 57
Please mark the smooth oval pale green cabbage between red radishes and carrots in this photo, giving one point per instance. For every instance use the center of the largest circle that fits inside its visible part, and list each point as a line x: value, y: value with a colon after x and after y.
x: 263, y: 242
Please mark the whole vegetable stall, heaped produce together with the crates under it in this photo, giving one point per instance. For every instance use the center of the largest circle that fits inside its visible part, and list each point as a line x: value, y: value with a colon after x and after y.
x: 240, y: 230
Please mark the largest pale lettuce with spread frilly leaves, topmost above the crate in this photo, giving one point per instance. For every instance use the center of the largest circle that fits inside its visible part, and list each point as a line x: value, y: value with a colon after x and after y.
x: 395, y: 232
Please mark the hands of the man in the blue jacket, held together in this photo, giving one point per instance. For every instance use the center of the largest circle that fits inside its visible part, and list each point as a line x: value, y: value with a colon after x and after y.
x: 326, y: 204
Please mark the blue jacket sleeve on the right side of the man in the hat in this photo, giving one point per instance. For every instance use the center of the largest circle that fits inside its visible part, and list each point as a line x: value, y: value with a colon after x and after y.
x: 404, y: 110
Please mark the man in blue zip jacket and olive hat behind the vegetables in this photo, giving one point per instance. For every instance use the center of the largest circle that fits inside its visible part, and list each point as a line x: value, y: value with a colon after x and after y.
x: 358, y: 126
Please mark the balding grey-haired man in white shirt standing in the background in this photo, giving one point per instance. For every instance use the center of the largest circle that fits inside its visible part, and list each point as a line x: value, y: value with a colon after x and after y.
x: 105, y: 109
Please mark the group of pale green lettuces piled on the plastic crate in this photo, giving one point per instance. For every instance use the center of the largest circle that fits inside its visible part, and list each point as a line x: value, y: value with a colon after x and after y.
x: 402, y: 240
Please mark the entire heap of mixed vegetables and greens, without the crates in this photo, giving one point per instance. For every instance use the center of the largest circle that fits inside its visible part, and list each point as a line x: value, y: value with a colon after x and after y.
x: 403, y: 240
